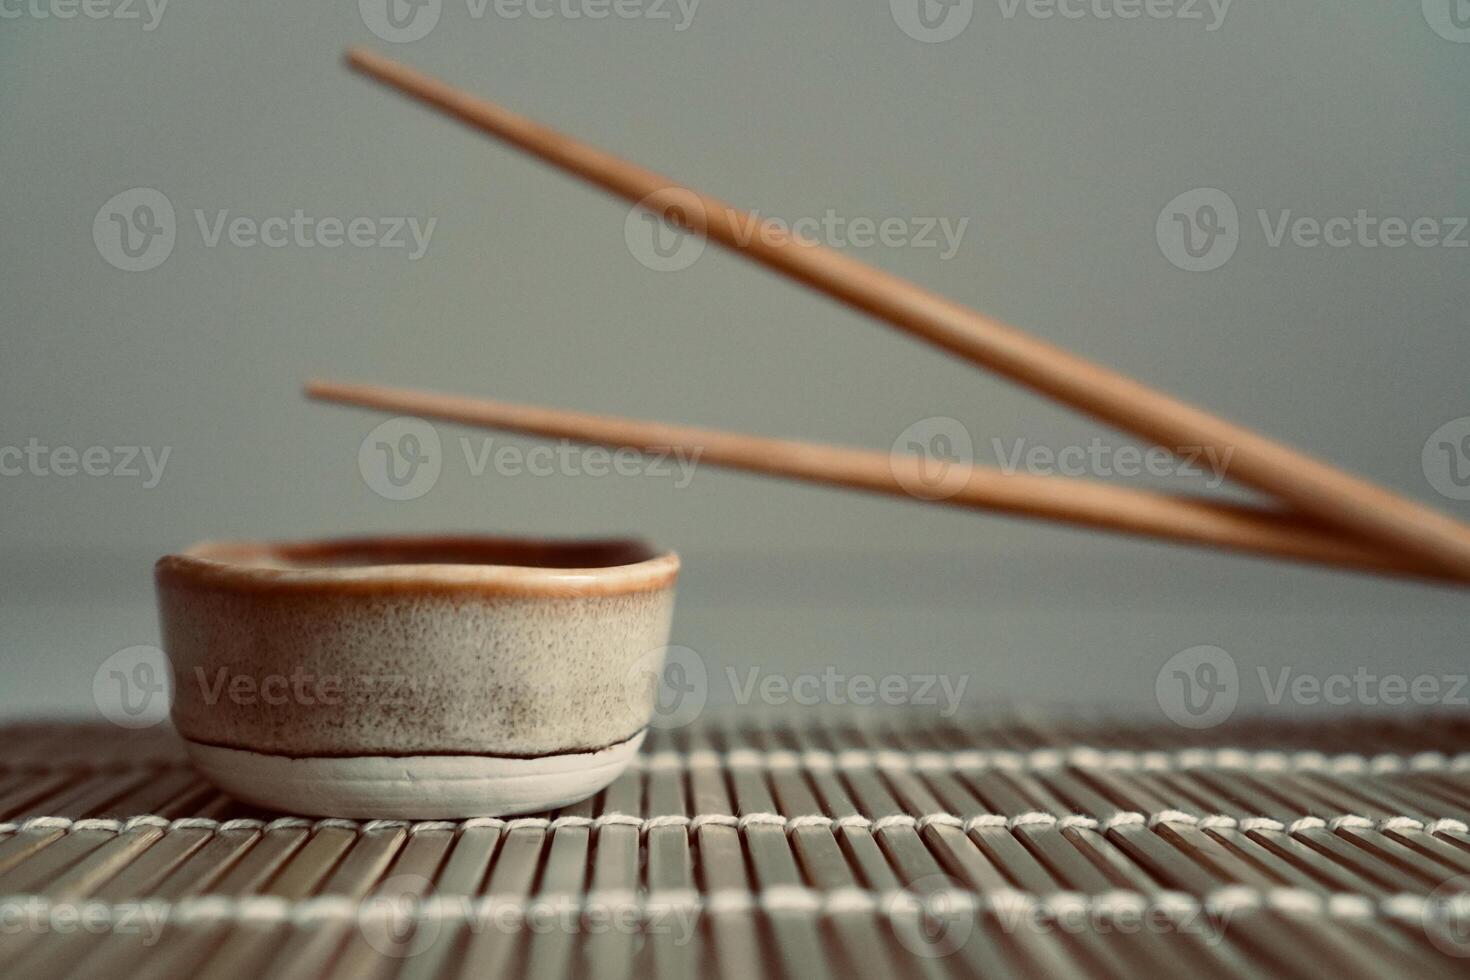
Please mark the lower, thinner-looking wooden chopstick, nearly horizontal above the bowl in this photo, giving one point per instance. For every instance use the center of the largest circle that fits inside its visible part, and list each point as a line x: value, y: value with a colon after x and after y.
x: 1083, y: 503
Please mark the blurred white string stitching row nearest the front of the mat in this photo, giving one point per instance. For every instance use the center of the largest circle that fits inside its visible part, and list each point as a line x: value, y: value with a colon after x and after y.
x: 1075, y: 910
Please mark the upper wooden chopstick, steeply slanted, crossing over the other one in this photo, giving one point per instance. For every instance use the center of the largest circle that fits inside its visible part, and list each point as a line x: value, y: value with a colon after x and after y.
x: 1311, y: 486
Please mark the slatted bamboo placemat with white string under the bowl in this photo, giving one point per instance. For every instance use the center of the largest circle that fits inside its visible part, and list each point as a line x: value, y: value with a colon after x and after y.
x: 805, y: 846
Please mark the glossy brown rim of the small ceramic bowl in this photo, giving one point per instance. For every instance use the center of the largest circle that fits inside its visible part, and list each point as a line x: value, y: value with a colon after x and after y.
x: 227, y: 565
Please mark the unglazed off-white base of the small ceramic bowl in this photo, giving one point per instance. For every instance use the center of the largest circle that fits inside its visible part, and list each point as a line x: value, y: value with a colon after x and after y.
x: 412, y: 787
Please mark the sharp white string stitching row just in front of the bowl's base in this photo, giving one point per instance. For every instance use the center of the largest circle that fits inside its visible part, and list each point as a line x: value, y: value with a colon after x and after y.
x: 745, y: 822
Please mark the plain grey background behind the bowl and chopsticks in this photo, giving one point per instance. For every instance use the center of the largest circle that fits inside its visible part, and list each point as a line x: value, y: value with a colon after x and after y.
x: 1061, y: 140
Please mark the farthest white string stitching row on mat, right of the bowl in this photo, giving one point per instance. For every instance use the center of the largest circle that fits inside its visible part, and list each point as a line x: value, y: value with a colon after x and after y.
x: 1055, y: 759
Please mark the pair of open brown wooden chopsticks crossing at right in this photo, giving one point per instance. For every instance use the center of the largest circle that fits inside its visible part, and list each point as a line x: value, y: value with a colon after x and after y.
x: 1331, y: 516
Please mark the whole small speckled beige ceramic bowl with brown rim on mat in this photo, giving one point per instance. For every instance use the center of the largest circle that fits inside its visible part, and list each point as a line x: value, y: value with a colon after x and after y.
x: 415, y: 678
